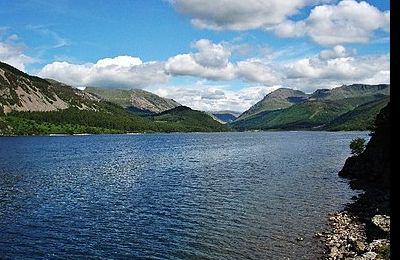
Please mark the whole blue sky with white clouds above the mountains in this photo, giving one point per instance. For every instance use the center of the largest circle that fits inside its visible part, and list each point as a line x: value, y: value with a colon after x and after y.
x: 207, y: 54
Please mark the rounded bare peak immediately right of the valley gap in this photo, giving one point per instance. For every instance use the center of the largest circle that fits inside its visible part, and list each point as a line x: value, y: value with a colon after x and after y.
x: 278, y: 99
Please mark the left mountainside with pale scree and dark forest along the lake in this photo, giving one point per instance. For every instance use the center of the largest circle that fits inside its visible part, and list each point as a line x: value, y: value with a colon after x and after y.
x: 31, y: 105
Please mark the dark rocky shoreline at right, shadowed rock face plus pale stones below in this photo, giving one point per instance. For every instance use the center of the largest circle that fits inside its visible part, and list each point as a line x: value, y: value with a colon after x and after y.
x: 362, y: 230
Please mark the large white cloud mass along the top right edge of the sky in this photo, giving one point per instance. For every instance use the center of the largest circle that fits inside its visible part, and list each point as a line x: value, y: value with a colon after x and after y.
x: 348, y: 21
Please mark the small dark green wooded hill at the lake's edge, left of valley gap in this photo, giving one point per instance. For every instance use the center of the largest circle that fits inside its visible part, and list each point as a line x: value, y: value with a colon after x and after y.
x: 186, y: 119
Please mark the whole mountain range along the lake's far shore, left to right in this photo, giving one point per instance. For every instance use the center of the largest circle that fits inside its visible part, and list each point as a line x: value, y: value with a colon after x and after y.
x: 32, y: 105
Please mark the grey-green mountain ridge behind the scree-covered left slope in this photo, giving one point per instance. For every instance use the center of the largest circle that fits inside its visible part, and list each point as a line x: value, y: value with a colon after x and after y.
x: 135, y: 100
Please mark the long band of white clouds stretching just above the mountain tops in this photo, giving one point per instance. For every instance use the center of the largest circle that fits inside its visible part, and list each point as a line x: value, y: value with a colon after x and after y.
x: 327, y: 69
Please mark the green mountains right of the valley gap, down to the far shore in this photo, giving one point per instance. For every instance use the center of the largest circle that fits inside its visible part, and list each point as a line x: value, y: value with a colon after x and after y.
x: 349, y: 107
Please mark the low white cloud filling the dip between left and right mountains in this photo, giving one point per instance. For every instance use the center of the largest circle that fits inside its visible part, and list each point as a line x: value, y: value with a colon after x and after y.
x: 214, y: 98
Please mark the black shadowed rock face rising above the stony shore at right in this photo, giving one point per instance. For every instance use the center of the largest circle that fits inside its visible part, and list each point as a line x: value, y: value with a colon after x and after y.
x: 371, y: 169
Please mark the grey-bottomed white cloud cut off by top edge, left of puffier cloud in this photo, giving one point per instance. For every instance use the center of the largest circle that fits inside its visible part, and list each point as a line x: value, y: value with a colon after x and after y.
x: 238, y: 14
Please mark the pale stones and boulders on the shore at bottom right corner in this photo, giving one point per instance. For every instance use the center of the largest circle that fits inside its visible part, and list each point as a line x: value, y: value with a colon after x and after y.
x: 362, y: 230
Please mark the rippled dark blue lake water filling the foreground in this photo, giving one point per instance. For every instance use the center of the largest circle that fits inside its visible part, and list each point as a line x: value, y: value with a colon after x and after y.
x: 170, y: 196
